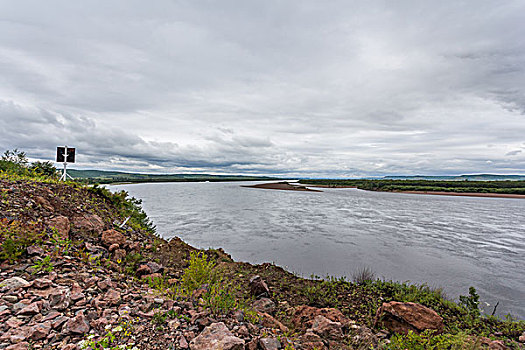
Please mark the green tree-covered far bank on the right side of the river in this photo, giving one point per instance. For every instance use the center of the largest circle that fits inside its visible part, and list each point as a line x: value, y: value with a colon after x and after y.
x: 504, y: 187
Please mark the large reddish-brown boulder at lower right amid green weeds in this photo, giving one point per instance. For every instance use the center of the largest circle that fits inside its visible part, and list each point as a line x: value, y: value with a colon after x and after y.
x: 401, y: 317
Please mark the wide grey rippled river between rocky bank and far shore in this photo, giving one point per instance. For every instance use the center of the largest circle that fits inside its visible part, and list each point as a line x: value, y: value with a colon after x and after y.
x: 450, y: 242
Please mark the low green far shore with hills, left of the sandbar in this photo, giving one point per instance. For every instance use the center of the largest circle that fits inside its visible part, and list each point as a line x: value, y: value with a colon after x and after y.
x: 103, y: 177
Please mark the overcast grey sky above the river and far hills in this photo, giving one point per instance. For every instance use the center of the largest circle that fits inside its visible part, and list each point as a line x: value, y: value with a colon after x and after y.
x: 295, y: 88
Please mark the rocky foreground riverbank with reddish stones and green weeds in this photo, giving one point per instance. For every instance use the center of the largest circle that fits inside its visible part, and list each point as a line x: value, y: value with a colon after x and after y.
x: 75, y: 274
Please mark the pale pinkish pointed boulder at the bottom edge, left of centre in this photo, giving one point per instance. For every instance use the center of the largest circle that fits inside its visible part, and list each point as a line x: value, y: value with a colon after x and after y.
x: 216, y: 337
